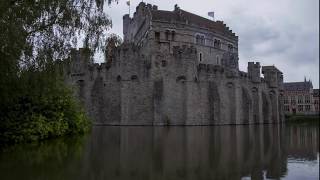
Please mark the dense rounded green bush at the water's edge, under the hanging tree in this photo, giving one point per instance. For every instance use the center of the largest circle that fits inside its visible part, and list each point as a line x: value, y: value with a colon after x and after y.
x: 46, y: 108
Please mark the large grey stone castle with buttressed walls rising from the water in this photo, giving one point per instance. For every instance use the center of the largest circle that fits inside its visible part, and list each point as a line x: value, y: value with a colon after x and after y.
x: 175, y: 68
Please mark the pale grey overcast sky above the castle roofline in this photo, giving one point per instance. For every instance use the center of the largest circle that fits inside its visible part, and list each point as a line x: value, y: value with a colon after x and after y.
x: 284, y: 33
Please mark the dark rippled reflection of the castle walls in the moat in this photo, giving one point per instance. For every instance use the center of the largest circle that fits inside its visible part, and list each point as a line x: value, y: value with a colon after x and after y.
x: 198, y: 152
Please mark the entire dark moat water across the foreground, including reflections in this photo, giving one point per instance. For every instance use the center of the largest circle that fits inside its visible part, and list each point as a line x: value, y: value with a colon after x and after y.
x: 195, y: 153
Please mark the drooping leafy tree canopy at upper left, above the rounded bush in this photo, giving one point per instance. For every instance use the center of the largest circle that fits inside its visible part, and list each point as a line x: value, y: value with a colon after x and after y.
x: 35, y: 32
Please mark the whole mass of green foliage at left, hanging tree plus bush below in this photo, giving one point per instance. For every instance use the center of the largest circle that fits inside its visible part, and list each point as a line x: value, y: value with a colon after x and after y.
x: 35, y: 103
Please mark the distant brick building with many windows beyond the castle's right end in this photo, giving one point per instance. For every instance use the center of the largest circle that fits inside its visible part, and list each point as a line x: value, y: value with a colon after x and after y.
x: 298, y: 98
